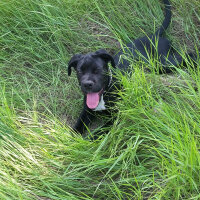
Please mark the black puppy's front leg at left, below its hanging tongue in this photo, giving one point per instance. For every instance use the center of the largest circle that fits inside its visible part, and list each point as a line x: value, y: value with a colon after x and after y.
x: 83, y: 121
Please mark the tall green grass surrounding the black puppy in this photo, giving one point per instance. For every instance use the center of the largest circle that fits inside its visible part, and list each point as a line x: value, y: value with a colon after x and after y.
x: 151, y: 151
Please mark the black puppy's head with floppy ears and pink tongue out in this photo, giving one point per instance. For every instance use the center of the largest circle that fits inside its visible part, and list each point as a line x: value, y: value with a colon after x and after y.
x: 92, y: 73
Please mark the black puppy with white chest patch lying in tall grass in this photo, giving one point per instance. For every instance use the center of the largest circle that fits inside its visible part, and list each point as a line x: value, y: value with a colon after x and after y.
x: 95, y: 77
